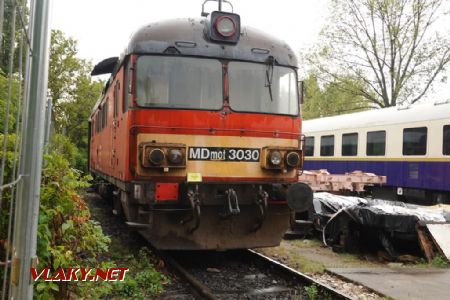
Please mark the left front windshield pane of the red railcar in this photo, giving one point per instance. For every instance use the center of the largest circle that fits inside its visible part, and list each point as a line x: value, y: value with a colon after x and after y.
x: 179, y: 82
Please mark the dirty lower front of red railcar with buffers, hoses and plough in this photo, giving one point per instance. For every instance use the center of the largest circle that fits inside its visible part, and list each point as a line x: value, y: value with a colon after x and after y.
x: 207, y: 216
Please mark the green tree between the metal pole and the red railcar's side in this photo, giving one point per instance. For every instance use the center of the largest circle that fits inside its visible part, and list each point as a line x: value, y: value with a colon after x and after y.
x: 73, y: 93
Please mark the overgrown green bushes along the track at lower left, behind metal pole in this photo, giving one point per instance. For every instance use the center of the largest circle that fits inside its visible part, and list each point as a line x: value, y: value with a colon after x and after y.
x: 69, y: 238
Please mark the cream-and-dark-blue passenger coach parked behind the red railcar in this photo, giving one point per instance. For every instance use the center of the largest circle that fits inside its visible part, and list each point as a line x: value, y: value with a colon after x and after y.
x: 409, y: 145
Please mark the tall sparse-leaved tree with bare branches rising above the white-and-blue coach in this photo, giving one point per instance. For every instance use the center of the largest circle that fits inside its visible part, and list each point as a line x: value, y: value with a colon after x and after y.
x: 393, y: 46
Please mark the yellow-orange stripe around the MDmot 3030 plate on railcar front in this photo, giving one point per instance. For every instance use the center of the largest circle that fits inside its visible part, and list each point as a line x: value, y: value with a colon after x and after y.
x: 222, y: 169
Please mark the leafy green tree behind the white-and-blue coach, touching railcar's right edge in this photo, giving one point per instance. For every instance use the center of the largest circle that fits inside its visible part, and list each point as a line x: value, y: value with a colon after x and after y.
x: 333, y: 98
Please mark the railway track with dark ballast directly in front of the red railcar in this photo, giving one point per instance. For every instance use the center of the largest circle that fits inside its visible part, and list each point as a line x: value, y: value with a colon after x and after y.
x: 244, y: 274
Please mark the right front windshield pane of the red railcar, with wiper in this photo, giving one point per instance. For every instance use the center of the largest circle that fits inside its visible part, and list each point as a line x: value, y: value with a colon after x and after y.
x: 263, y: 88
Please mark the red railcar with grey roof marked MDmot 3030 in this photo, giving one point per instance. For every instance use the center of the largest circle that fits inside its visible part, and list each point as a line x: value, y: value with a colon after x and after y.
x: 197, y: 134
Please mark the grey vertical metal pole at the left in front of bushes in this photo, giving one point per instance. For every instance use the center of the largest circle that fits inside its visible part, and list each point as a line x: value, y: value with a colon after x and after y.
x: 28, y: 190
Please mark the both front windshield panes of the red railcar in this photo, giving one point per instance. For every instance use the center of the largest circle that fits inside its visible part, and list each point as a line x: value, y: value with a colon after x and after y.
x: 194, y: 83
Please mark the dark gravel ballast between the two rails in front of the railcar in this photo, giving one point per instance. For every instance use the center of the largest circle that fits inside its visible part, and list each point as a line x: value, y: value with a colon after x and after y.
x: 230, y: 275
